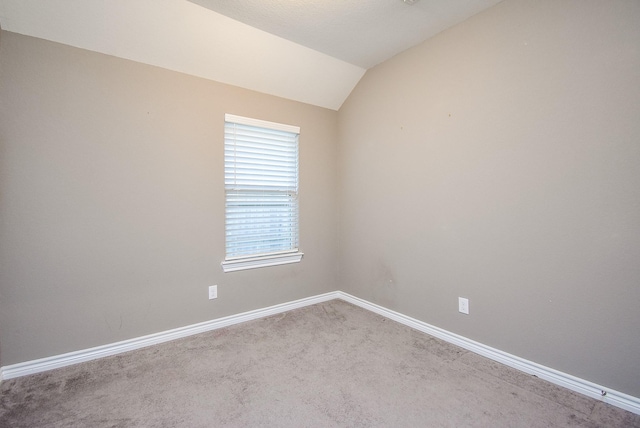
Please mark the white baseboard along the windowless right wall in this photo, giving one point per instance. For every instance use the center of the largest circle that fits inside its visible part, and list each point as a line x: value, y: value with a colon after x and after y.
x: 585, y: 387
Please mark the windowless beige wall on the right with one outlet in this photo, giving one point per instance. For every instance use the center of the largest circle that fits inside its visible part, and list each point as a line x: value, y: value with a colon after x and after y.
x: 499, y: 161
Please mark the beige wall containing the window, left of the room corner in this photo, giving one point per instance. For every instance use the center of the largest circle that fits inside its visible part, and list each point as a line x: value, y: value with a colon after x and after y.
x: 112, y: 200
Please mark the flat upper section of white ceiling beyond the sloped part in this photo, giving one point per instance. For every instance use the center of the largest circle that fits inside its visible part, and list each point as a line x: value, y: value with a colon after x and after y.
x: 360, y: 32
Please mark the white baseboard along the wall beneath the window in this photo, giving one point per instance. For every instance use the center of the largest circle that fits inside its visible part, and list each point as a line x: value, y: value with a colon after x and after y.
x: 70, y: 358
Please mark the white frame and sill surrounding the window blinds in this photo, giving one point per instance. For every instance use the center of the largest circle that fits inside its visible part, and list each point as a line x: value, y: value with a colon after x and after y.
x: 252, y: 261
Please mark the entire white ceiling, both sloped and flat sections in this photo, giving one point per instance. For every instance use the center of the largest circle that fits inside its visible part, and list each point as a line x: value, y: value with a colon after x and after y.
x: 313, y: 51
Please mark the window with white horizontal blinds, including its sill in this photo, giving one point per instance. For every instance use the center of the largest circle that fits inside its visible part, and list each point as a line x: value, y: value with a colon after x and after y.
x: 261, y: 193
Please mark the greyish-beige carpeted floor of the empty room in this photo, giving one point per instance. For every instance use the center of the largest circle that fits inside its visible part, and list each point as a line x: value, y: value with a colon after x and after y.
x: 327, y: 365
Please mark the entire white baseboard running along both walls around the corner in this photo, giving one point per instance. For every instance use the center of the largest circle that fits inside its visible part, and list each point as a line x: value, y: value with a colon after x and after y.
x: 568, y: 381
